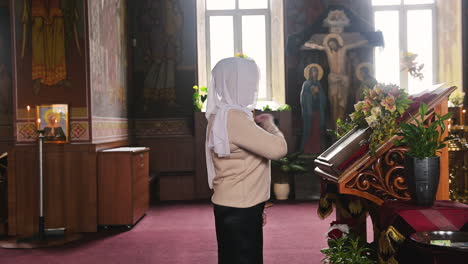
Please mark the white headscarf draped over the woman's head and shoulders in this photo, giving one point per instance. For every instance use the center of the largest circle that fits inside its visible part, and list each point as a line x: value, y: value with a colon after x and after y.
x: 234, y: 85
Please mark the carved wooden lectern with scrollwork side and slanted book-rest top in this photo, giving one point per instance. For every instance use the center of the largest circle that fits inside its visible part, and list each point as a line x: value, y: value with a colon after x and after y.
x: 349, y: 165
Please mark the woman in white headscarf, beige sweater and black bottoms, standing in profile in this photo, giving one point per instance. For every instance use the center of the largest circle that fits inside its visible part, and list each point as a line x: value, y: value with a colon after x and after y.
x: 238, y: 149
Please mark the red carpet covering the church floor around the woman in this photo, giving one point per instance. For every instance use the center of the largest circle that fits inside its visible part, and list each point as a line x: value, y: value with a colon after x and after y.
x: 171, y: 234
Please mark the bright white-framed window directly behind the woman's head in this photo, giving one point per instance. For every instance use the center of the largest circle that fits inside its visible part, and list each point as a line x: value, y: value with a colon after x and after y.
x: 250, y: 27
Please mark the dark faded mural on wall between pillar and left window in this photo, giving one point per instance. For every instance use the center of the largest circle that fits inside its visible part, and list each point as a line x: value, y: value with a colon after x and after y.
x: 164, y: 58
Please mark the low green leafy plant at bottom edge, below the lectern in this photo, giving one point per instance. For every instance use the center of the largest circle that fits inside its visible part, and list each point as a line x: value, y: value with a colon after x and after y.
x: 347, y: 250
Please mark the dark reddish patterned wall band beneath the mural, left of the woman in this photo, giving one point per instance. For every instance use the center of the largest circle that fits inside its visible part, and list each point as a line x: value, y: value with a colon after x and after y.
x: 162, y: 127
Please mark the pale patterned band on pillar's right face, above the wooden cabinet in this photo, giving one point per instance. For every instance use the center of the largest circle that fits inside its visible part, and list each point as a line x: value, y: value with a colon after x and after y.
x: 109, y: 129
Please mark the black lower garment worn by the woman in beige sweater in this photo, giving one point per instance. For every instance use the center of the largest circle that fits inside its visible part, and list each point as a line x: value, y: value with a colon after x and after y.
x: 239, y: 232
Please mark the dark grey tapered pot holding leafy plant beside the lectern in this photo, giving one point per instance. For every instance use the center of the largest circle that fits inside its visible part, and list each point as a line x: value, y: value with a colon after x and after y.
x: 422, y: 176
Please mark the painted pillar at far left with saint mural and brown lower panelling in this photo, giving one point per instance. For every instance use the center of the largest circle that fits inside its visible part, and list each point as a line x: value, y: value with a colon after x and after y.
x: 63, y: 53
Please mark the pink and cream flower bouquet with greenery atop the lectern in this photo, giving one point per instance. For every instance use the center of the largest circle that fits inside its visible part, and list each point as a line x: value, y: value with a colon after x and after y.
x: 381, y: 108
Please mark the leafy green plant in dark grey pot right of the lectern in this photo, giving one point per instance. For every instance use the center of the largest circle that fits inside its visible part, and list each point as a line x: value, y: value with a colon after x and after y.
x: 421, y: 161
